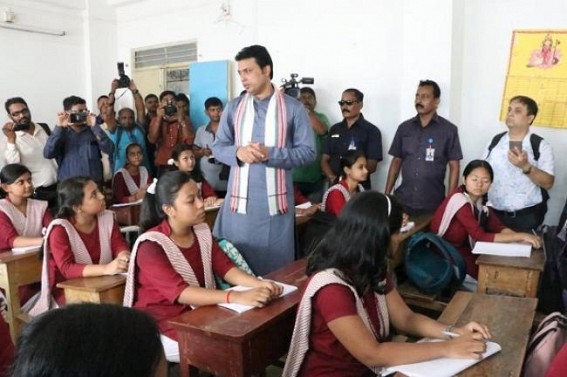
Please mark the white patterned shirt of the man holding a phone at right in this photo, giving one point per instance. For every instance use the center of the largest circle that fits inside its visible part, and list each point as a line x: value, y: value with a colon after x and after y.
x: 513, y: 190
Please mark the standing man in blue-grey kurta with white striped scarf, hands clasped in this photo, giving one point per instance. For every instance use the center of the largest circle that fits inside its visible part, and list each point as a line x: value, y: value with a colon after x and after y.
x: 263, y: 134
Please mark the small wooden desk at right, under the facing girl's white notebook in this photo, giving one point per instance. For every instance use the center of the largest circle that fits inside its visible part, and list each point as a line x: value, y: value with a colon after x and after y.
x: 513, y: 276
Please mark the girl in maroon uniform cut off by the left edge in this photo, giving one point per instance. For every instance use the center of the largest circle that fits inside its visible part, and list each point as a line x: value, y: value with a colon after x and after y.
x: 22, y: 218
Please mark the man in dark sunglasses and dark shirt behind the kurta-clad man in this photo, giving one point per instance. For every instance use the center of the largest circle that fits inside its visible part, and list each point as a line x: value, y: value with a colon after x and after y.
x: 354, y: 132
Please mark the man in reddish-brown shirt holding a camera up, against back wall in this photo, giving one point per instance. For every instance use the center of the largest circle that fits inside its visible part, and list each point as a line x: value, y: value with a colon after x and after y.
x: 169, y: 128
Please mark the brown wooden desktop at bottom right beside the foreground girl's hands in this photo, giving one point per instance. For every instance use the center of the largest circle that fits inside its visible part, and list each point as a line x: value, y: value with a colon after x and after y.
x: 510, y: 321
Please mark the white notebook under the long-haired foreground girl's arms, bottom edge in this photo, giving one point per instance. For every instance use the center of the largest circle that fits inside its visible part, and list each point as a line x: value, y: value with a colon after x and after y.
x: 443, y: 367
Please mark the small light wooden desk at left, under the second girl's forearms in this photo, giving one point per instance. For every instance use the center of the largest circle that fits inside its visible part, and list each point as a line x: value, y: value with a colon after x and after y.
x: 98, y: 290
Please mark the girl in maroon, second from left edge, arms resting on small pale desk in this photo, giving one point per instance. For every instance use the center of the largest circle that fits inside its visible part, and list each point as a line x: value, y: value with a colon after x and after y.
x: 84, y: 240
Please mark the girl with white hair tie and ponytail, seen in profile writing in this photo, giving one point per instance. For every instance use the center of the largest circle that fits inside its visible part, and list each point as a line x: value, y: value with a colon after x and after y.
x: 173, y: 262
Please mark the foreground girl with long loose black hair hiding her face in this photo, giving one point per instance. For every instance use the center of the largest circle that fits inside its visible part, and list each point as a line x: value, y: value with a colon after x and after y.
x: 350, y: 301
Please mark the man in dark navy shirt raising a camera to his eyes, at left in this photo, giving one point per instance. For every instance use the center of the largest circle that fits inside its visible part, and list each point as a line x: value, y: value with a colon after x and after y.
x: 77, y: 142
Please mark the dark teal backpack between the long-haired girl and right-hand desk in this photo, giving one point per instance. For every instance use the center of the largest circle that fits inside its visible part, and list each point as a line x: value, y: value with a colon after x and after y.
x: 433, y: 264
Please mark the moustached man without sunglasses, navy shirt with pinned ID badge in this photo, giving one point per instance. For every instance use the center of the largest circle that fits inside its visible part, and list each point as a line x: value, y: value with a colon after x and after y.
x: 421, y: 149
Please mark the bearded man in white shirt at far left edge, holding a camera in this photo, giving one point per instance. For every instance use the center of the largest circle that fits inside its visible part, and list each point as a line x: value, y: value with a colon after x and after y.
x: 20, y: 142
